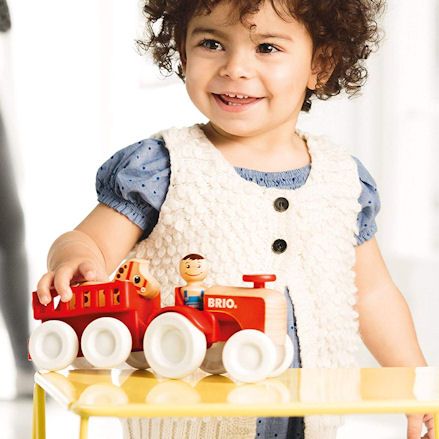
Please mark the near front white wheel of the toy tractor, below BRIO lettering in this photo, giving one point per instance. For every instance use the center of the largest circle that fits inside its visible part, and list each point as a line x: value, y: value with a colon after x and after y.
x: 249, y: 356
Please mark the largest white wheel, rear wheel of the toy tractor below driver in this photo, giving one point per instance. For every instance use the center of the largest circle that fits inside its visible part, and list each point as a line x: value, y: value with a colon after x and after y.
x: 173, y: 346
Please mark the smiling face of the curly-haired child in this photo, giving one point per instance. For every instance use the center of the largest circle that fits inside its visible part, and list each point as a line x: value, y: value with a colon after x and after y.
x: 233, y: 59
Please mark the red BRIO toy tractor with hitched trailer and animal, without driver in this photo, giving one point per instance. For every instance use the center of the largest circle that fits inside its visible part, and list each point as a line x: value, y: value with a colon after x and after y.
x: 241, y: 331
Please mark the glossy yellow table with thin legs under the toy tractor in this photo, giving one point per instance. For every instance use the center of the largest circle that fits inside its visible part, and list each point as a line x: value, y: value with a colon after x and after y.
x: 298, y: 392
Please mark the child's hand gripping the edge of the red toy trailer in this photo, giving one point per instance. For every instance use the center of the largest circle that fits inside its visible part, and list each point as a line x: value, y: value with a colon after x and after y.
x: 68, y: 273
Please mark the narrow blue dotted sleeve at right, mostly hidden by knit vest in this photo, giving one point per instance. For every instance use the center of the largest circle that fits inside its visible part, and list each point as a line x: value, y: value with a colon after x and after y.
x: 370, y: 203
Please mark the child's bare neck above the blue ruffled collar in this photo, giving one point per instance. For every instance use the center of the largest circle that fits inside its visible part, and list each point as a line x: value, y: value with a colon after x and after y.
x: 269, y: 155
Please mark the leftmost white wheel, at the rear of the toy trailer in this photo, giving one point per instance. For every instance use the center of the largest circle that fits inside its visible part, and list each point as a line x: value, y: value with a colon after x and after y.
x: 53, y: 345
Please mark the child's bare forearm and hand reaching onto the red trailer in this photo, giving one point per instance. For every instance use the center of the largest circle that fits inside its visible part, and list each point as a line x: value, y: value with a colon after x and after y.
x: 90, y: 252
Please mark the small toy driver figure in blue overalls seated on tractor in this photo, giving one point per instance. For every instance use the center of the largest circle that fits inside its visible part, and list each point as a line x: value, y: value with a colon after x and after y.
x: 193, y: 269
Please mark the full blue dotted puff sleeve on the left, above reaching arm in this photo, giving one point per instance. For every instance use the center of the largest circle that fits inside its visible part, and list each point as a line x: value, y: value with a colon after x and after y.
x: 134, y: 182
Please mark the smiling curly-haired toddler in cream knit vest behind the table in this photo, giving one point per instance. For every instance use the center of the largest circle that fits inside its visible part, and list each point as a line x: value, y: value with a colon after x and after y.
x: 252, y: 193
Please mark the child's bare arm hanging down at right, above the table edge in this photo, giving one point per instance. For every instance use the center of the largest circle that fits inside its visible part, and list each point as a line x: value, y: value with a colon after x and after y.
x: 386, y: 325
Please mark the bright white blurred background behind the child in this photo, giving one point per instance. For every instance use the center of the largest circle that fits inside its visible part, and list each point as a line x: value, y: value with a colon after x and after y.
x: 73, y: 90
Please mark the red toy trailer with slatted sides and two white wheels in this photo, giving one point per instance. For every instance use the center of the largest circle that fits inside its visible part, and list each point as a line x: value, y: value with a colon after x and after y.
x: 103, y: 322
